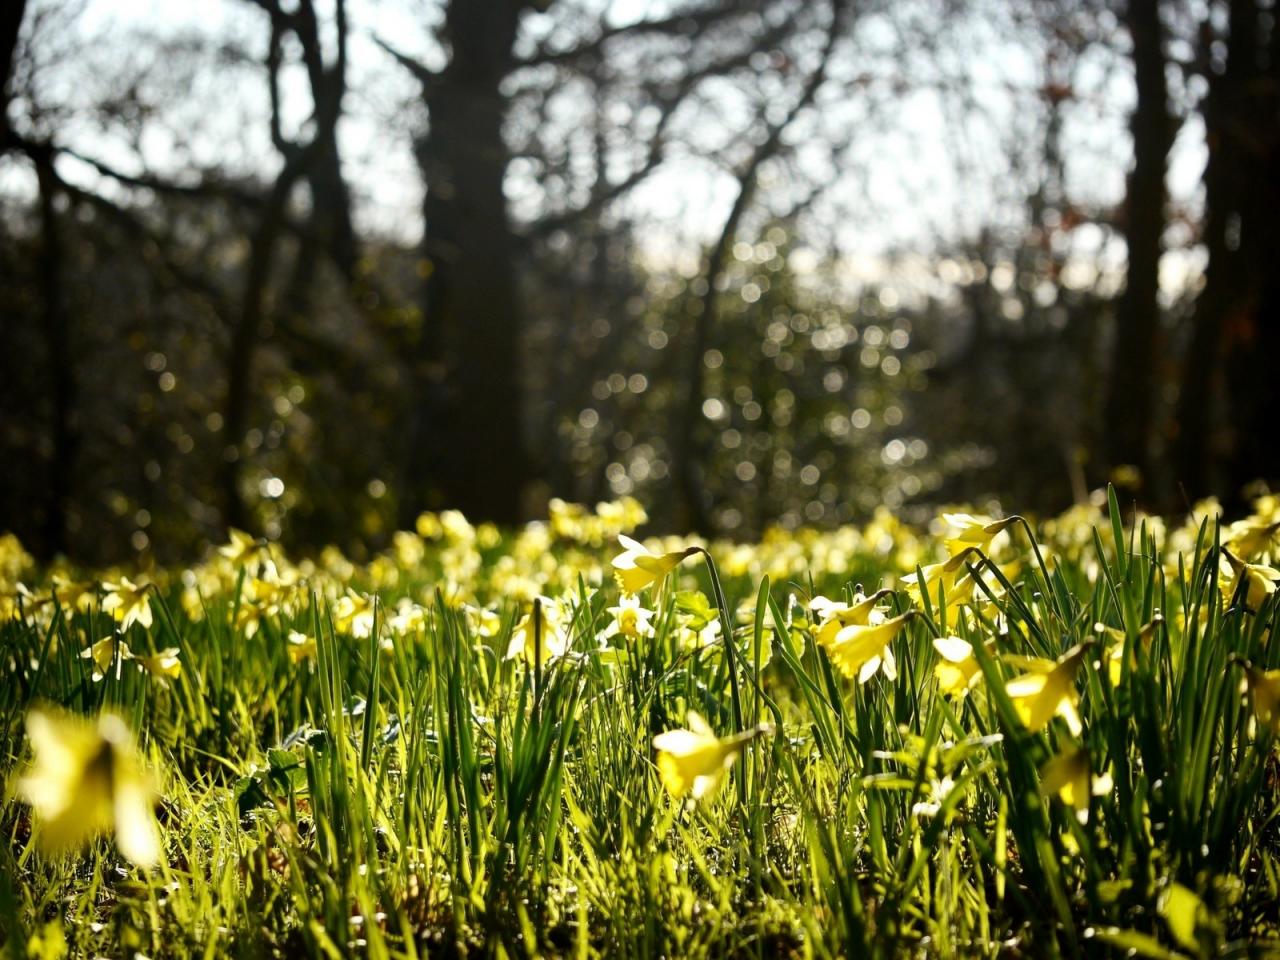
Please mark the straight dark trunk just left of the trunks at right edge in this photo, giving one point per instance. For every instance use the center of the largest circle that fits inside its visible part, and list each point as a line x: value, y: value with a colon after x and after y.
x: 1132, y: 395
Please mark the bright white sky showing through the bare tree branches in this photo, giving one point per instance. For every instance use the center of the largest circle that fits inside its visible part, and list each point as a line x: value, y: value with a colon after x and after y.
x: 918, y: 173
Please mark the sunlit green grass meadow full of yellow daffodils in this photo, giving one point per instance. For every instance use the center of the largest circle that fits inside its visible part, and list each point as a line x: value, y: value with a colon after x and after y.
x: 982, y: 738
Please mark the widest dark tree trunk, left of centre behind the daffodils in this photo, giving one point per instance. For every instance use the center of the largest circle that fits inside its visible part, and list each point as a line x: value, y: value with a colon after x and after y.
x: 467, y: 436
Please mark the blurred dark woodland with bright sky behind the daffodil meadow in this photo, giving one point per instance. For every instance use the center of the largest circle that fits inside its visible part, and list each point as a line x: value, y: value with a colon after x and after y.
x: 312, y: 267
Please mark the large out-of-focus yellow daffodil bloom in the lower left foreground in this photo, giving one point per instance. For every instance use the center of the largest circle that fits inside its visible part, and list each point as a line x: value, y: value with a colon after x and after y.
x: 86, y: 780
